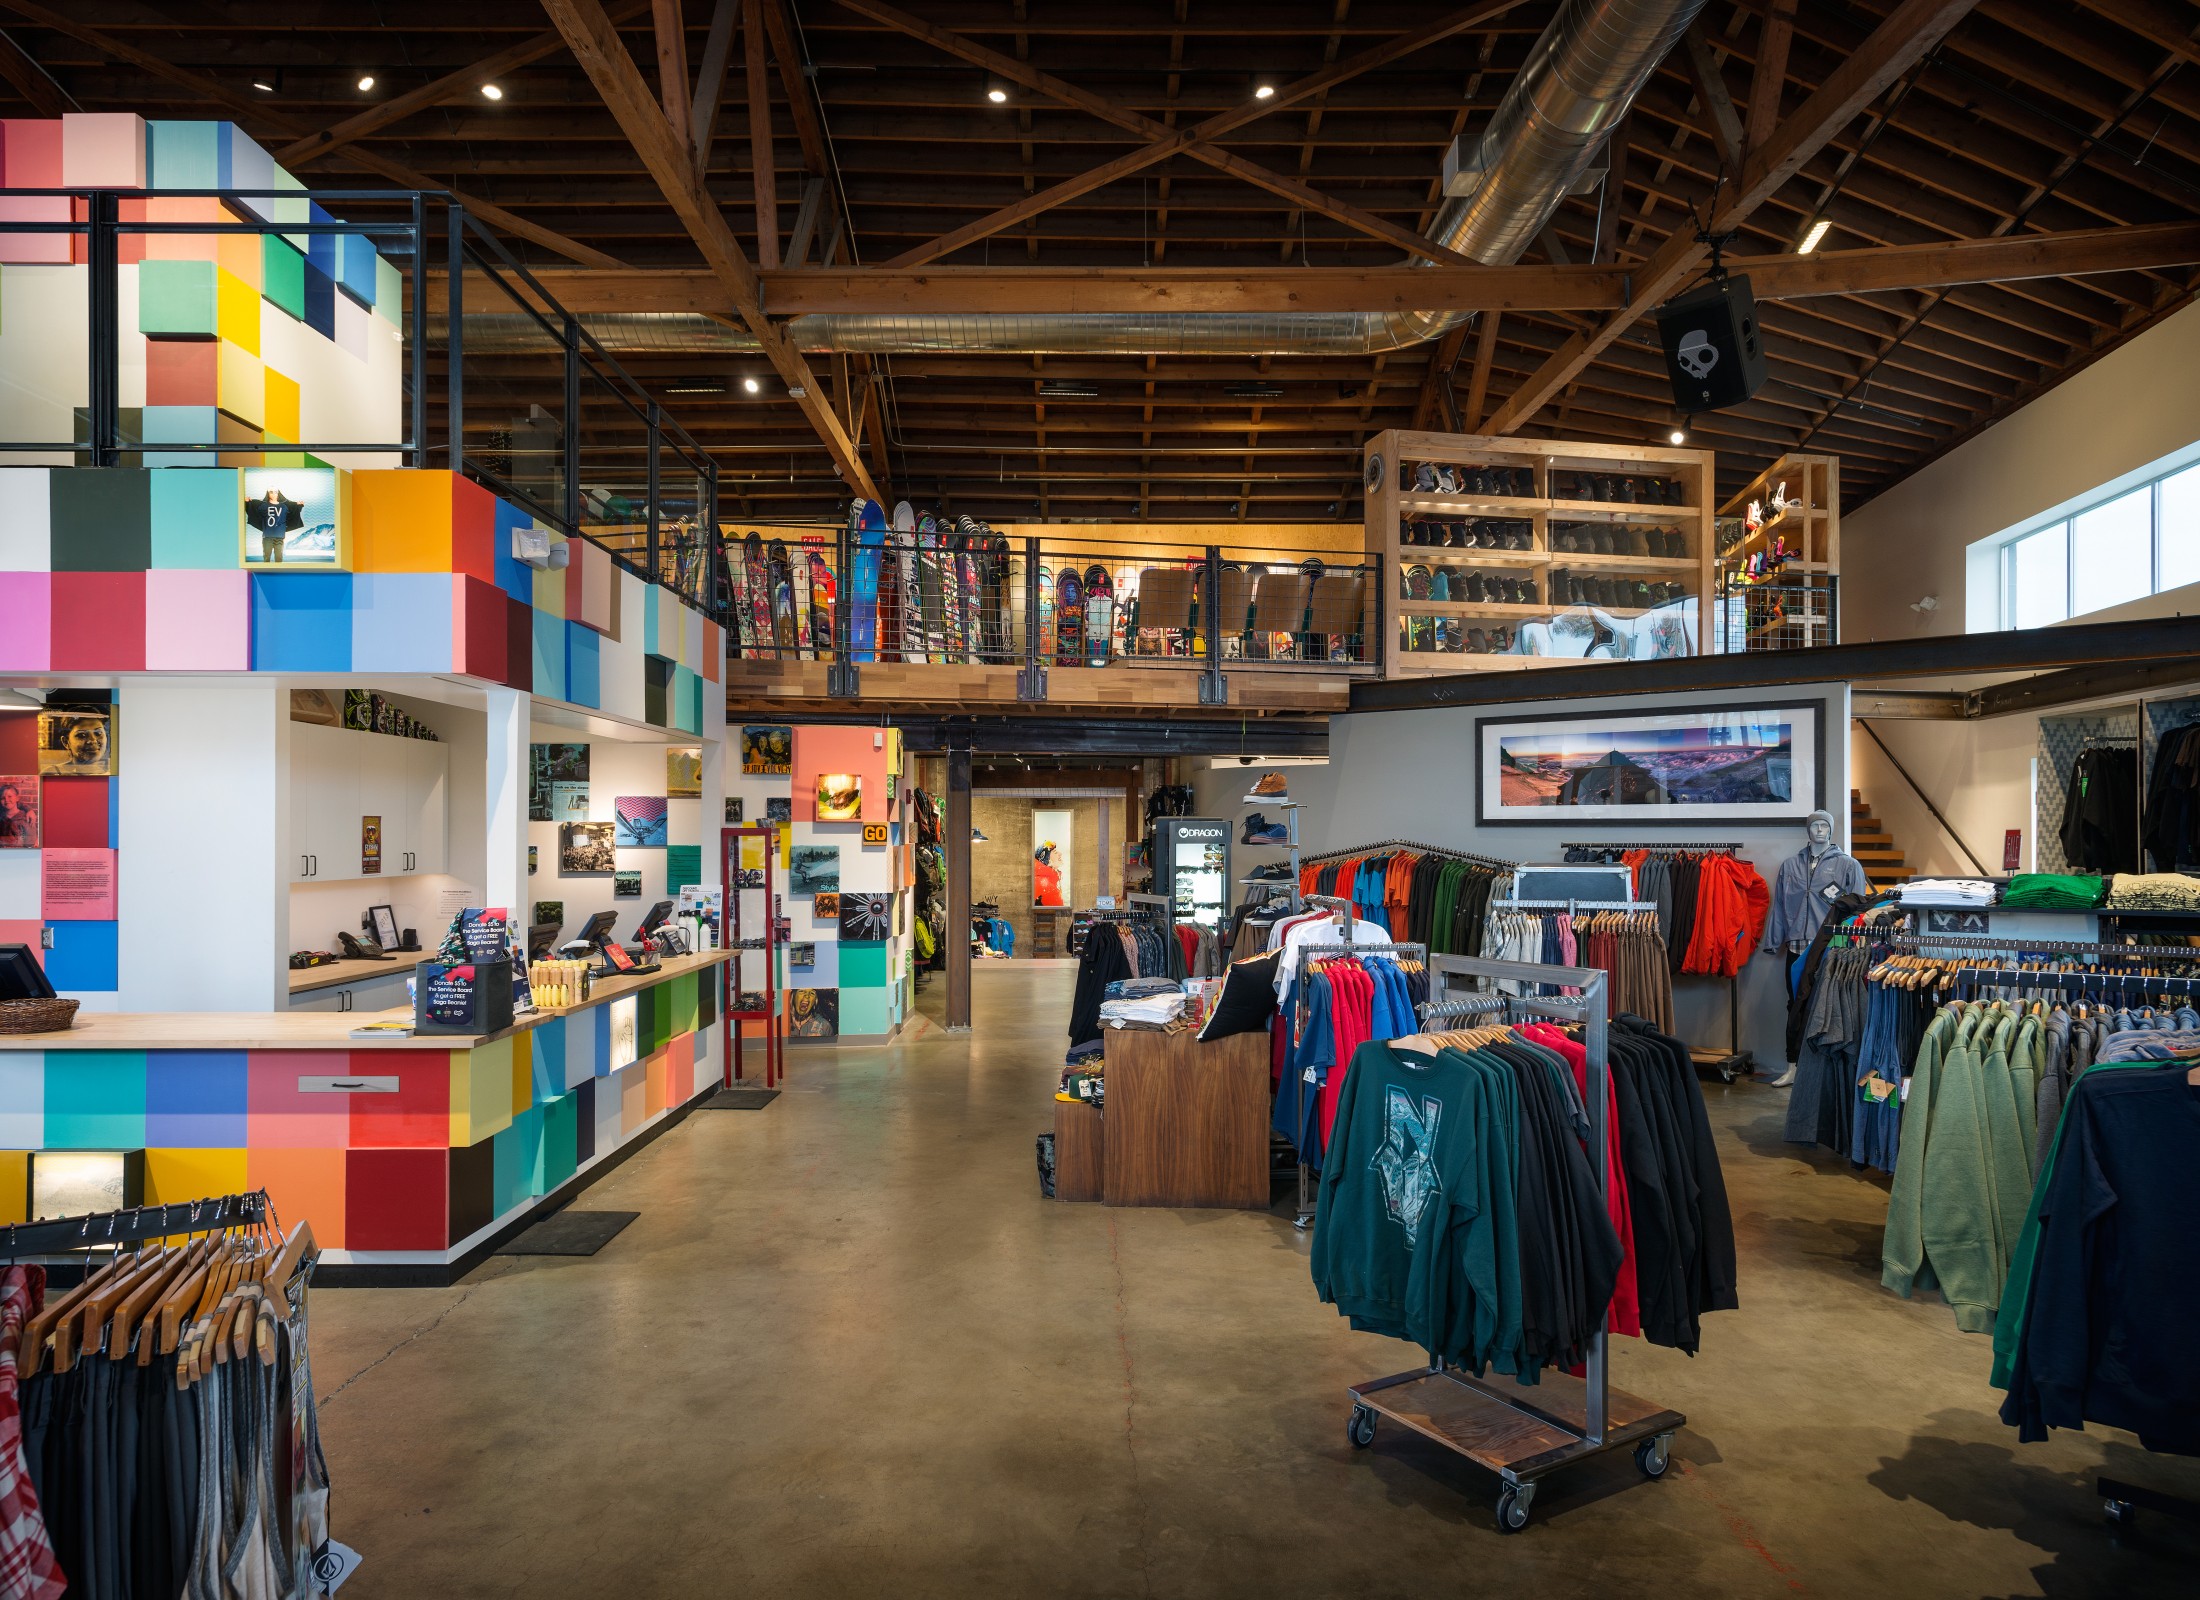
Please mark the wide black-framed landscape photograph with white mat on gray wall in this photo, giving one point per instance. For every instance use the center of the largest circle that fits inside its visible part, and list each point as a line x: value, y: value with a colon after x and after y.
x: 1684, y: 769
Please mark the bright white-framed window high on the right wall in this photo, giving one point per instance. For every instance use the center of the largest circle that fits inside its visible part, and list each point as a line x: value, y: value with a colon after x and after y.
x: 2124, y: 547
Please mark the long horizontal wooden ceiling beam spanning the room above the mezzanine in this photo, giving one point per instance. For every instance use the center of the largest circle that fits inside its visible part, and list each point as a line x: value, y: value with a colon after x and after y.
x: 1286, y: 289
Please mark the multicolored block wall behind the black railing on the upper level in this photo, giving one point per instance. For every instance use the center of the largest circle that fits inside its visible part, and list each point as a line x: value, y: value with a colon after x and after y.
x: 239, y: 340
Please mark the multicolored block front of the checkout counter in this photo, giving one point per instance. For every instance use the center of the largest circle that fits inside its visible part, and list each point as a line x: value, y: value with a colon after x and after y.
x: 463, y: 1143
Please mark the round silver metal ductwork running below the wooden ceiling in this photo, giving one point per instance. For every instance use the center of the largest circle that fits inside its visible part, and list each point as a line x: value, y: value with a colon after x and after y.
x: 1576, y: 85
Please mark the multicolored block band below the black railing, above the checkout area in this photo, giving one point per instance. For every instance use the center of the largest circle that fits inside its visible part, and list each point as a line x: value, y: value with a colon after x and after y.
x: 137, y: 569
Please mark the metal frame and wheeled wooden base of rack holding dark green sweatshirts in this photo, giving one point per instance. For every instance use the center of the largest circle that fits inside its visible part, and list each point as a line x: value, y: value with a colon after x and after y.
x: 1526, y: 1434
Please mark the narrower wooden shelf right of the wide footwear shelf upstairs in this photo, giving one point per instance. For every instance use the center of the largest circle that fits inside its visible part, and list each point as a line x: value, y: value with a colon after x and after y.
x: 1776, y: 560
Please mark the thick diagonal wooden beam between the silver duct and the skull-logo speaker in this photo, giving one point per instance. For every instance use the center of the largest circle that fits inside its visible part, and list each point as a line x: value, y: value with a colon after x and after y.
x: 1895, y: 45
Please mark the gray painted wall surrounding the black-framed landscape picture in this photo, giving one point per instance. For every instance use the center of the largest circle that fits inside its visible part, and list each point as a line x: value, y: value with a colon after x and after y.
x: 1411, y: 776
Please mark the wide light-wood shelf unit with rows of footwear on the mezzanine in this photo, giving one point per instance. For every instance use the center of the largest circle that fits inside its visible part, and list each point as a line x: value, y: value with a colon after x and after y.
x: 1482, y: 538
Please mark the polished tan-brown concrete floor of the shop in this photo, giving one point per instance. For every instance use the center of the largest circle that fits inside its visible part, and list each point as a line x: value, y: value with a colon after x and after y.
x: 850, y: 1352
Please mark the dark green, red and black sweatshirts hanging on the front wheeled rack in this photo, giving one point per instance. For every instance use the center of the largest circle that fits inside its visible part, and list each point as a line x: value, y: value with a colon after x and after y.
x: 1517, y: 1260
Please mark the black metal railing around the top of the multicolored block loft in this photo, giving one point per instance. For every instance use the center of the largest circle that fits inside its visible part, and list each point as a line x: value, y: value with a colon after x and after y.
x: 547, y: 417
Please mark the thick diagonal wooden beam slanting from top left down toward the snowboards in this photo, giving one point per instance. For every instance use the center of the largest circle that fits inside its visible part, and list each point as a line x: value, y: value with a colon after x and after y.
x: 595, y: 43
